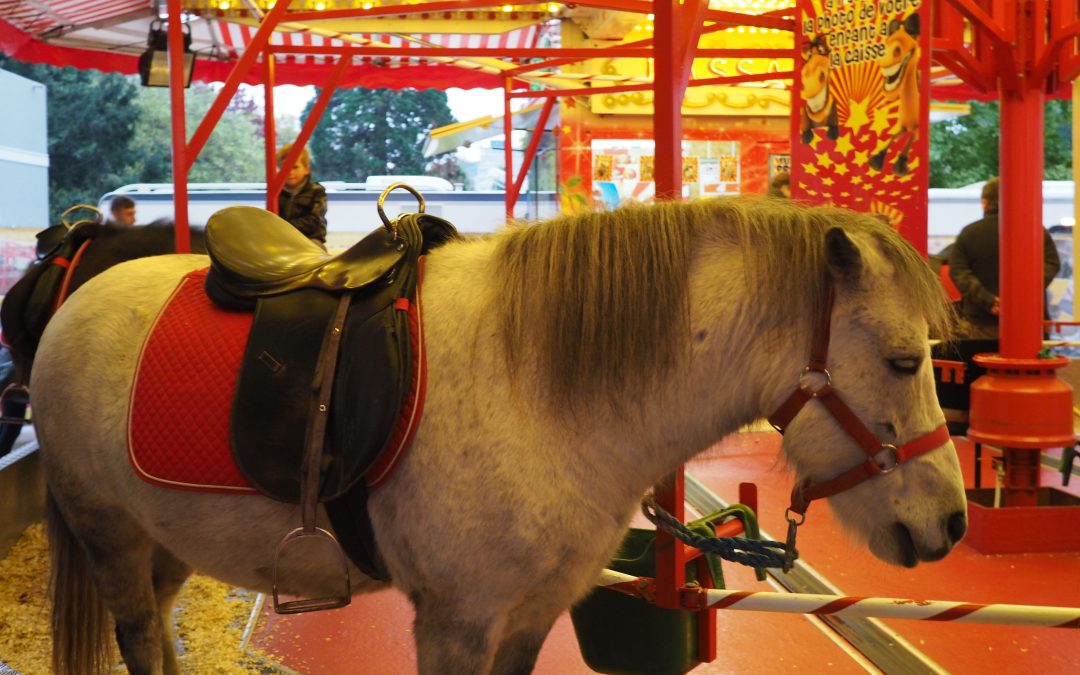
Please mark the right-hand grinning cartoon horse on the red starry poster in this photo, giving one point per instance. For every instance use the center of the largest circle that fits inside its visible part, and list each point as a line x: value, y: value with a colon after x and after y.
x: 900, y: 67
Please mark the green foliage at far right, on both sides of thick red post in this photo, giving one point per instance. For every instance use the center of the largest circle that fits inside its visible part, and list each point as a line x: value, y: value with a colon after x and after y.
x: 965, y: 151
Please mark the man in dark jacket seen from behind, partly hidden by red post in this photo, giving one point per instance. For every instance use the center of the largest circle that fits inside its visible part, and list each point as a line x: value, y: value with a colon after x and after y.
x: 974, y: 267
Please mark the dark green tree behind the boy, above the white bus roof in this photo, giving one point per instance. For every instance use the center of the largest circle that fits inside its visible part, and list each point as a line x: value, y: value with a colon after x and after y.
x: 375, y: 132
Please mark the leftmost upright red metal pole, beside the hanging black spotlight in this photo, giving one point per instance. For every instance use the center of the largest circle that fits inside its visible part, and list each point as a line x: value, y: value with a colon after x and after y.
x: 177, y: 84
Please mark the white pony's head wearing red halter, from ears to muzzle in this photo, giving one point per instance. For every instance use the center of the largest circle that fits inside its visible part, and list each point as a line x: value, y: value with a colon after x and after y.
x: 885, y: 304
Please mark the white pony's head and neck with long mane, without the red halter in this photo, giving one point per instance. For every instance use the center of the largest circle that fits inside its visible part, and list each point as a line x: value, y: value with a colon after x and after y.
x: 691, y: 320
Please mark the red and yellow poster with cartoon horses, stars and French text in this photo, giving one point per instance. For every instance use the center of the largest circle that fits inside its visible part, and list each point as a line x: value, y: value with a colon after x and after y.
x: 860, y: 119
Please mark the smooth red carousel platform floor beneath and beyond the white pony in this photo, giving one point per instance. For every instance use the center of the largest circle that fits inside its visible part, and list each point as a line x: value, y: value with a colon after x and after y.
x: 374, y: 634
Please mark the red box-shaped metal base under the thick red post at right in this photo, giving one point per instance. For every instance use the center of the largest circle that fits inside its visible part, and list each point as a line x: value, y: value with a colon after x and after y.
x: 1050, y: 526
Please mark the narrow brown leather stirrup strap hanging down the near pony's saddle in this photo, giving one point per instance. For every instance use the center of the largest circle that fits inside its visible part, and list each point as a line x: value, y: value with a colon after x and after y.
x: 320, y: 414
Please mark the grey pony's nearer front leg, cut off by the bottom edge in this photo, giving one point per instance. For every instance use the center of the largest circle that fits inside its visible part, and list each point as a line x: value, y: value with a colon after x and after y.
x: 451, y: 639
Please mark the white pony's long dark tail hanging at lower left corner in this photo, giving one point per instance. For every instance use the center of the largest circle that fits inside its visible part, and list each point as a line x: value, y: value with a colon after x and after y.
x: 82, y: 626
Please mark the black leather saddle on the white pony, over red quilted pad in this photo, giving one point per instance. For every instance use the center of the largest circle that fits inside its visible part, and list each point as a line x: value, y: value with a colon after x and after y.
x: 292, y: 390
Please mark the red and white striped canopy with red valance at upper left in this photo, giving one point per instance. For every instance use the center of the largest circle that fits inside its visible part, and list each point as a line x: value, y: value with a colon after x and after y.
x: 110, y: 35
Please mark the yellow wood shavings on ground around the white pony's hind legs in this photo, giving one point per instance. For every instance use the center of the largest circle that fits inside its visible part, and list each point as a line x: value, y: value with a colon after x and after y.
x: 209, y: 620
